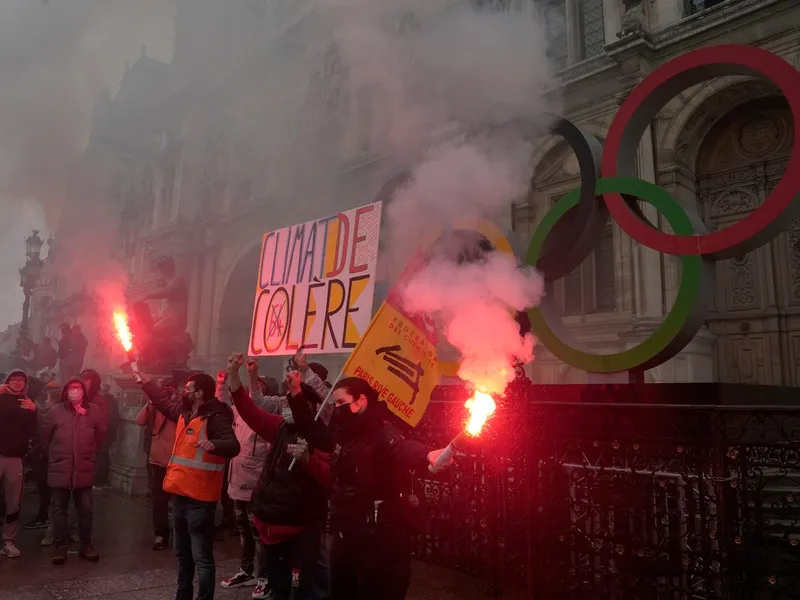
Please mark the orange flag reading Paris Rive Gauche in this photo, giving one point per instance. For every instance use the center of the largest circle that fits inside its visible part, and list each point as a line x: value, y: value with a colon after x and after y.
x: 397, y: 356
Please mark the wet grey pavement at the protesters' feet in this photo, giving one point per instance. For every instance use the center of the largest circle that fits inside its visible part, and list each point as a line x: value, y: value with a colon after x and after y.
x: 130, y: 569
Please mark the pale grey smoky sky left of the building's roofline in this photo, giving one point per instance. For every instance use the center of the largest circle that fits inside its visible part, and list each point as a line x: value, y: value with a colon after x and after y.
x: 55, y: 56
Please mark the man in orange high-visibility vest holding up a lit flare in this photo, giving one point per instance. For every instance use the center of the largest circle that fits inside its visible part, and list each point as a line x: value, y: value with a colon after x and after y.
x: 204, y: 439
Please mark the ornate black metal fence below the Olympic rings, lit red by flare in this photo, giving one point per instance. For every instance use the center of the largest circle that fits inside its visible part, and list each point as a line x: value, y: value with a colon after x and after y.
x: 649, y: 492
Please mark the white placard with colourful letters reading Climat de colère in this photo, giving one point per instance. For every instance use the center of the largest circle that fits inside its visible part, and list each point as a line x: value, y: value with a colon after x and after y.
x: 316, y: 282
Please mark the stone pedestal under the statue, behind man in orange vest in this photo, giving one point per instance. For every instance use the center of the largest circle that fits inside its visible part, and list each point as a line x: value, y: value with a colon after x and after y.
x: 129, y: 462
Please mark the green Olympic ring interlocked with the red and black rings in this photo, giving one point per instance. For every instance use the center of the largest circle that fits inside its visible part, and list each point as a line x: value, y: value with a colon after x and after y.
x: 678, y: 328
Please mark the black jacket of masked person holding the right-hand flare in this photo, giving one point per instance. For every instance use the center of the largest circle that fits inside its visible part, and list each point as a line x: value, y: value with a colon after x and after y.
x: 369, y: 467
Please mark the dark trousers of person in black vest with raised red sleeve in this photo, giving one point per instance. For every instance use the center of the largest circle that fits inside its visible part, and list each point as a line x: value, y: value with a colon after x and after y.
x: 290, y: 565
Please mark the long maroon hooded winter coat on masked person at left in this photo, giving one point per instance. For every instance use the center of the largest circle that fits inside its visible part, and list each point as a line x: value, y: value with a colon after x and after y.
x: 73, y: 441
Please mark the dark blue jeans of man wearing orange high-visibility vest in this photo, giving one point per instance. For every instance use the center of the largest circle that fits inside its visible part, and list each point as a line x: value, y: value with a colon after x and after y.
x: 193, y: 531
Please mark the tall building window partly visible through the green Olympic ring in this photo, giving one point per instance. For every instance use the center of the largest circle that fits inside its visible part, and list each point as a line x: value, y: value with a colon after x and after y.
x: 591, y: 287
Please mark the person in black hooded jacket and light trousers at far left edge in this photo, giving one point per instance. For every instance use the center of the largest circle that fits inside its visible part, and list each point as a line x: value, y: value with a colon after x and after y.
x: 17, y: 425
